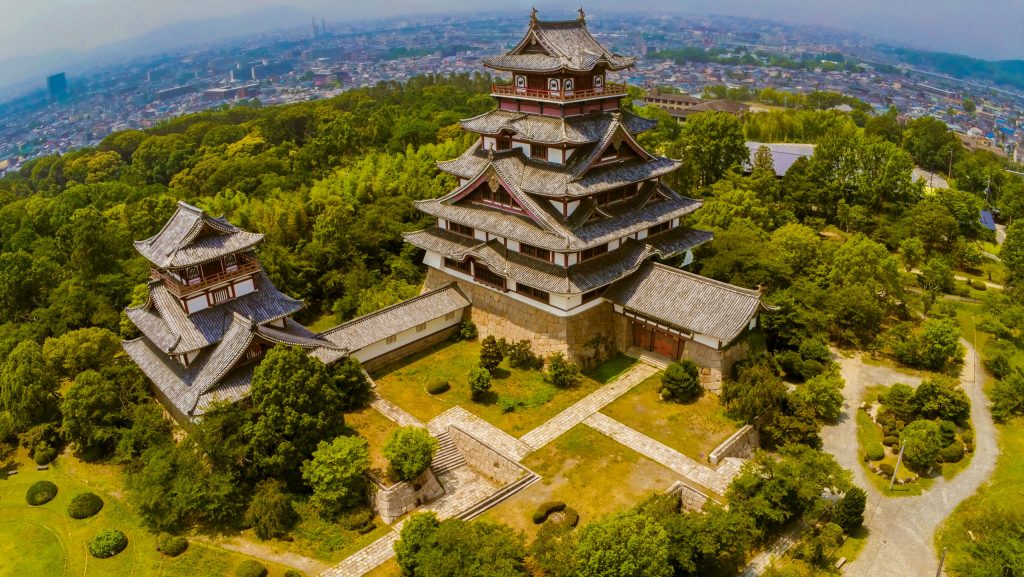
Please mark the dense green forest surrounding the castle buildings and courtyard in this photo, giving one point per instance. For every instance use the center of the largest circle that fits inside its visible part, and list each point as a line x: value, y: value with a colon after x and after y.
x: 847, y: 248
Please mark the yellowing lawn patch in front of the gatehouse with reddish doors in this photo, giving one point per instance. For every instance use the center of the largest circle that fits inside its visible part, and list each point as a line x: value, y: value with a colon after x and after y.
x: 694, y: 430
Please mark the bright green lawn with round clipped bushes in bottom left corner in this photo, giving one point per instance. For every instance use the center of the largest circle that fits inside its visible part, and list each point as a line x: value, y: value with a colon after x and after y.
x: 50, y: 543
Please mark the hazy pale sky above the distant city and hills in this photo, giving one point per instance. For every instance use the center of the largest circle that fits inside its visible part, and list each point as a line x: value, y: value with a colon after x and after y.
x: 991, y: 29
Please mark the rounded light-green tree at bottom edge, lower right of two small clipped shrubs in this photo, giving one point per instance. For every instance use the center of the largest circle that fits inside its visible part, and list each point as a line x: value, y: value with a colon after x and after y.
x: 629, y: 545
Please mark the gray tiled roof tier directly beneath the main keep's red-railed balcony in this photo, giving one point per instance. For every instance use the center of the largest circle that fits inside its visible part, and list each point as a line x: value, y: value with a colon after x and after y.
x: 552, y: 131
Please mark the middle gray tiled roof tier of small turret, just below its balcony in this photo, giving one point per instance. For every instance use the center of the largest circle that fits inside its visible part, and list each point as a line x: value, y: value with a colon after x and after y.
x: 166, y: 324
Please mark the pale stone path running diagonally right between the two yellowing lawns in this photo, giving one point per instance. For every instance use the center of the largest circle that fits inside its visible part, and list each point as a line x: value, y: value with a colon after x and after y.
x: 717, y: 481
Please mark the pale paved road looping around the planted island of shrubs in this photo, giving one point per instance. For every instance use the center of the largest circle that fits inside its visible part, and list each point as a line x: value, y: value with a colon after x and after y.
x: 903, y: 529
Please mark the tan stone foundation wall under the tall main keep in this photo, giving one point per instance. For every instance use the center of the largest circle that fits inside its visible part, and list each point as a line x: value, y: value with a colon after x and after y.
x: 498, y: 315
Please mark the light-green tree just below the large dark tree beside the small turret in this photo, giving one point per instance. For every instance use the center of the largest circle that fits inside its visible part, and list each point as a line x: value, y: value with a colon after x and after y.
x: 336, y: 474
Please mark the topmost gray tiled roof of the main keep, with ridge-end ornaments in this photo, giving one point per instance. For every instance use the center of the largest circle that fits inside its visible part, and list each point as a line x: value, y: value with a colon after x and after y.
x: 569, y: 46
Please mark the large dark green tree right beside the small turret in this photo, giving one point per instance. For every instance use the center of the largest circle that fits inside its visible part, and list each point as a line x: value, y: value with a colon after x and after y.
x: 298, y: 405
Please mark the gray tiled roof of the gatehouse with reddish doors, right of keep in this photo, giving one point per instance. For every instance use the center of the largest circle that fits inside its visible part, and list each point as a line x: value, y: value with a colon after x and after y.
x: 689, y: 302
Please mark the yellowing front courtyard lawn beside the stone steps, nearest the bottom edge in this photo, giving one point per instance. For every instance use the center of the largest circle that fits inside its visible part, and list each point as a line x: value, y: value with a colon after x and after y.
x: 590, y: 473
